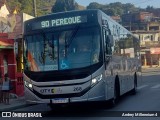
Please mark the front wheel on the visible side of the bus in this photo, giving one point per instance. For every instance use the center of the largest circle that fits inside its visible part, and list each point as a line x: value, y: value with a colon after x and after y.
x: 116, y: 96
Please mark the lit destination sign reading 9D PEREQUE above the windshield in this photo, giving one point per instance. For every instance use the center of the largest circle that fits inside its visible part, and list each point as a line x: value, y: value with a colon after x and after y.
x: 59, y: 22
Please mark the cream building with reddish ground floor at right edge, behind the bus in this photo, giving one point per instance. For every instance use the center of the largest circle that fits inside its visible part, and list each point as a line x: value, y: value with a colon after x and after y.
x: 150, y: 47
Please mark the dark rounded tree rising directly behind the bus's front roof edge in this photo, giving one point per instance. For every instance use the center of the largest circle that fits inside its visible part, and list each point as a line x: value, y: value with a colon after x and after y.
x: 64, y: 5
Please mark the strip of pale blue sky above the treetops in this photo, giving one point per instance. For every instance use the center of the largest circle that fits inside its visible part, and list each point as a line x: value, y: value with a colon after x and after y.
x: 137, y: 3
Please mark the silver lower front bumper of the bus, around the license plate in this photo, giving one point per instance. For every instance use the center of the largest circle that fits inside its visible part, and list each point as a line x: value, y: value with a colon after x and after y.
x: 96, y: 93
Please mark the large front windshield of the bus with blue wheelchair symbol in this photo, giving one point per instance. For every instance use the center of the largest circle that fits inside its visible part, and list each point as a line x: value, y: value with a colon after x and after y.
x: 68, y: 49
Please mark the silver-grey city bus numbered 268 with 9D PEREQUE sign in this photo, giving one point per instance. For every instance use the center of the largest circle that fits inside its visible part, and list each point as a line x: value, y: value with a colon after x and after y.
x: 79, y: 56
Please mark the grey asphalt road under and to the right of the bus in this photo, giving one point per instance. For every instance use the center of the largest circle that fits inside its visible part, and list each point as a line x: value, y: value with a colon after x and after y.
x: 145, y: 102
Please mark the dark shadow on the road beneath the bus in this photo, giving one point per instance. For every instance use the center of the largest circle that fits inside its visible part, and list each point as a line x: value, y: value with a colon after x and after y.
x: 90, y: 109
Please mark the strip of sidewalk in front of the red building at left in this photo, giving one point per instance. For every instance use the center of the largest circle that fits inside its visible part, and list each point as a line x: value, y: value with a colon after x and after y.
x: 15, y: 102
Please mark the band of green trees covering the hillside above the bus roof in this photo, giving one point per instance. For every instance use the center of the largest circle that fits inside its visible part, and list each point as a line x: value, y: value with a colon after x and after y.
x: 48, y: 6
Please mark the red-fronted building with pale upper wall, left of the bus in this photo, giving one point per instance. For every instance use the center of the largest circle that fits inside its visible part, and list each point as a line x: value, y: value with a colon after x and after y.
x: 11, y: 30
